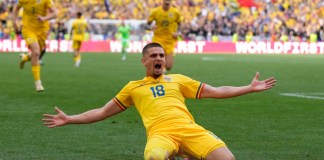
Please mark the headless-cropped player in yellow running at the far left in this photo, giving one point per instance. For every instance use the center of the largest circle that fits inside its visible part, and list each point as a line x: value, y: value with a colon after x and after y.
x: 34, y: 30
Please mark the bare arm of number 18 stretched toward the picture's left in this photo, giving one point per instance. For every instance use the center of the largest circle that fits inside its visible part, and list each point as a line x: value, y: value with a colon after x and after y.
x: 91, y: 116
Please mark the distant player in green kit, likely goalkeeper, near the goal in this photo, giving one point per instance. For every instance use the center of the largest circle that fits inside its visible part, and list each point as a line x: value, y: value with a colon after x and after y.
x: 124, y: 31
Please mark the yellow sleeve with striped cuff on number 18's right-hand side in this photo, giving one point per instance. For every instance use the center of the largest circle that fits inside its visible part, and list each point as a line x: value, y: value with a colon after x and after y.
x: 190, y: 88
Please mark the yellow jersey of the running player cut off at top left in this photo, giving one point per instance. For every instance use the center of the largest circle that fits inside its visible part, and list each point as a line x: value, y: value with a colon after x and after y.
x: 31, y: 10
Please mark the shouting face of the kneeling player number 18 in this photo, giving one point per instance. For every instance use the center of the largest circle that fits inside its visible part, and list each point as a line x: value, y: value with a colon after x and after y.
x: 154, y: 61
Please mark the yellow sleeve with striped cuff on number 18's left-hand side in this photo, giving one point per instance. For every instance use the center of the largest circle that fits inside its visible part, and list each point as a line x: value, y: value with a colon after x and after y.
x: 123, y: 98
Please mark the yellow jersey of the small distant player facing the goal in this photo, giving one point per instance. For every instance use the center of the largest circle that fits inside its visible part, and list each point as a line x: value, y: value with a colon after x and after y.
x: 79, y: 27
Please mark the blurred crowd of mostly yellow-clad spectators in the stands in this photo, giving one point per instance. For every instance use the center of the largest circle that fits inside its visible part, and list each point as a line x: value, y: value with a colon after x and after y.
x: 211, y: 20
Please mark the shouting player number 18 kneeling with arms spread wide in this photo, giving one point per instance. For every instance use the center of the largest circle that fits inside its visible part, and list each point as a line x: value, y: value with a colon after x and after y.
x: 160, y: 100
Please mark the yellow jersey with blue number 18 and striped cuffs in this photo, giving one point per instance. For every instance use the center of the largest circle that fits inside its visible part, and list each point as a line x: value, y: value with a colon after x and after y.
x: 161, y: 101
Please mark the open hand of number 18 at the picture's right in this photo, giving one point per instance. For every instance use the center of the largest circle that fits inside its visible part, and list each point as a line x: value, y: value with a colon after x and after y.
x: 258, y: 85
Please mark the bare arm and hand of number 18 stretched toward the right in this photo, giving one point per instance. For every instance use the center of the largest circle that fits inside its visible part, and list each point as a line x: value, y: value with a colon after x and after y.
x: 230, y: 91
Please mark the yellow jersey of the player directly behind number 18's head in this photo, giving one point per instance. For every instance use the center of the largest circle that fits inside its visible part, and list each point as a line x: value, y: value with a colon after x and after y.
x: 166, y: 21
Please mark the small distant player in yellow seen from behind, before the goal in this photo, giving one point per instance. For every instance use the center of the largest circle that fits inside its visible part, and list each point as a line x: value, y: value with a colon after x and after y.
x: 78, y: 31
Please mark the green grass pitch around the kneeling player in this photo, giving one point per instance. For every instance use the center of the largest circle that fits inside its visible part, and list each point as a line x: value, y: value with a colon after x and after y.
x: 260, y: 126
